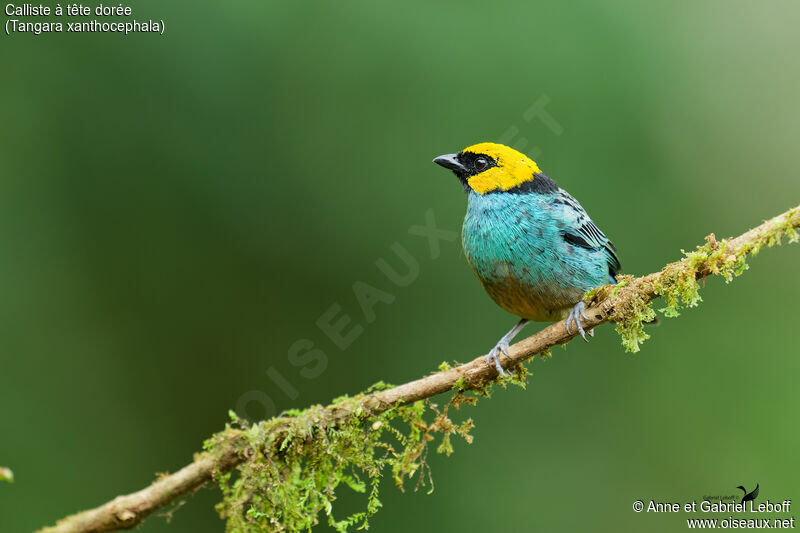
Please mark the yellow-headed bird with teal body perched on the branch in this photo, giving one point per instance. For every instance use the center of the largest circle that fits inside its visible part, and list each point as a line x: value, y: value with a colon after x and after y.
x: 531, y: 245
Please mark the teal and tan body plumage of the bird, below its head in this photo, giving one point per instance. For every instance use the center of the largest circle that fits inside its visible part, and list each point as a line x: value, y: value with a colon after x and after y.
x: 516, y: 245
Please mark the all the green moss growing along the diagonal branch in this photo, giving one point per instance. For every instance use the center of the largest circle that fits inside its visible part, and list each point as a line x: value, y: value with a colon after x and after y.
x: 292, y: 466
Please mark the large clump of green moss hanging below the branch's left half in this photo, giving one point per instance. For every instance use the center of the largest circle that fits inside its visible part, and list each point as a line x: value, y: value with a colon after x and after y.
x: 293, y: 466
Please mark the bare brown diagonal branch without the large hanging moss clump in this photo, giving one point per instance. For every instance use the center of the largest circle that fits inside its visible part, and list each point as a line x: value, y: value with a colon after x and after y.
x: 627, y: 304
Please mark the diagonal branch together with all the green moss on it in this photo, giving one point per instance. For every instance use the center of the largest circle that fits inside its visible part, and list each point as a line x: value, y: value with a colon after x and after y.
x: 288, y: 467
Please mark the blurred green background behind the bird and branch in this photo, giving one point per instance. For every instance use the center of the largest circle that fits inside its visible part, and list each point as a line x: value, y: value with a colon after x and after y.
x: 176, y: 211
